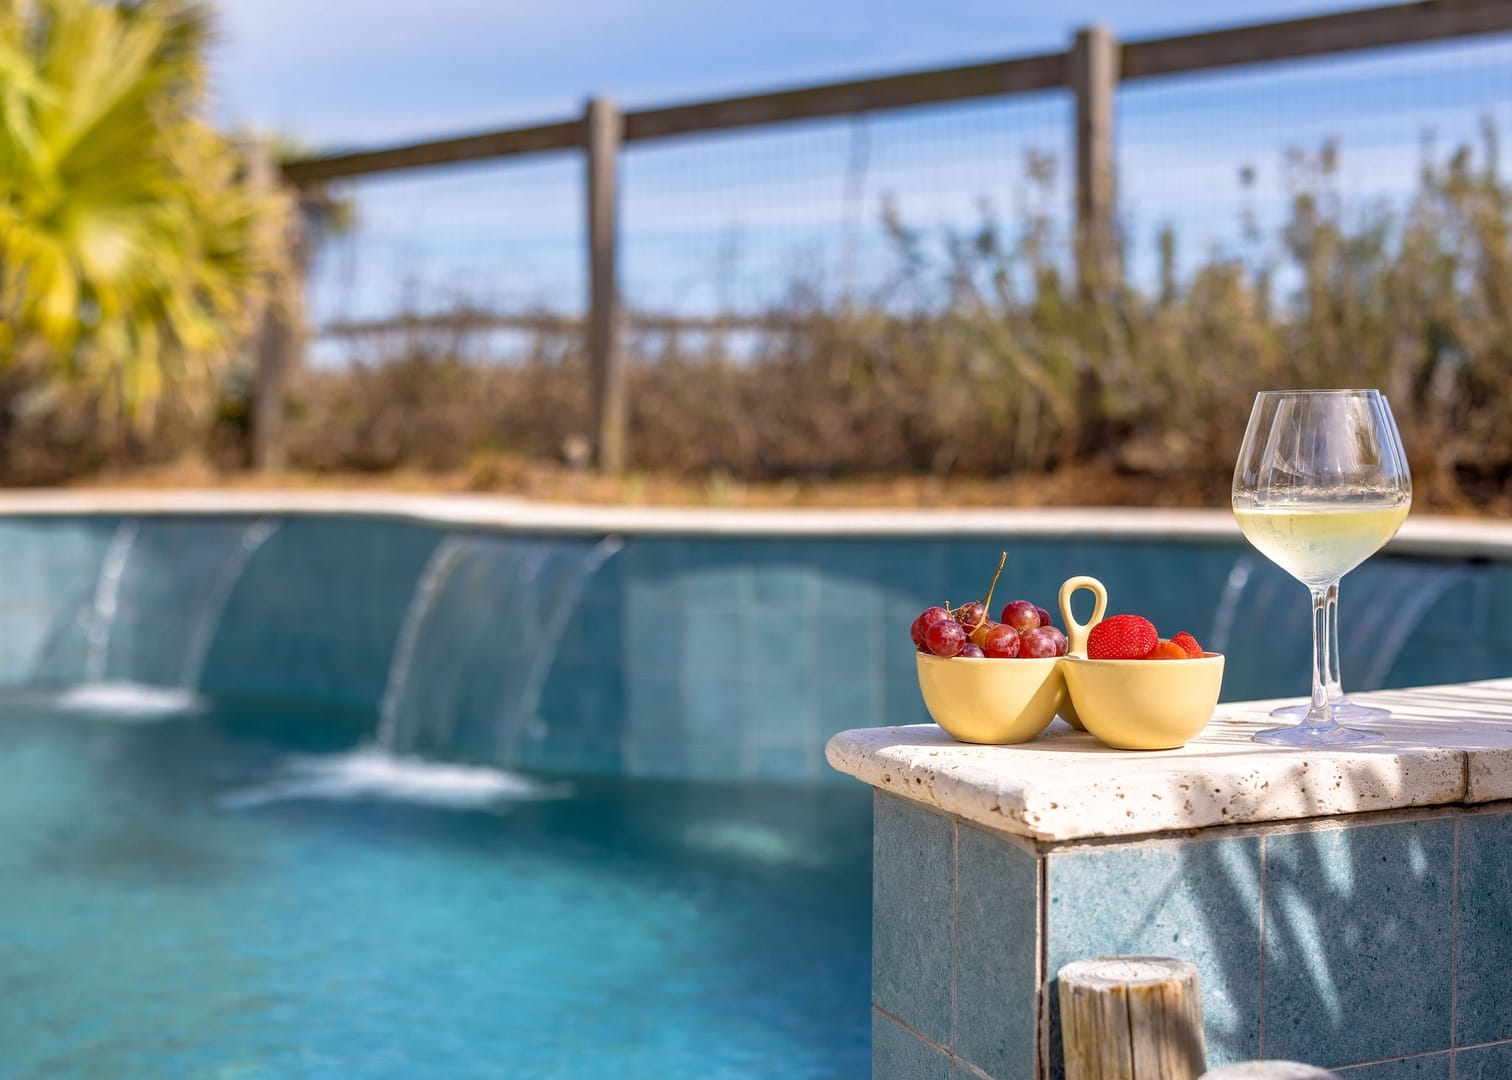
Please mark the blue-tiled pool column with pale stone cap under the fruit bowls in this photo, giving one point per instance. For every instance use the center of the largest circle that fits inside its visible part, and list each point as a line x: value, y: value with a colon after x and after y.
x: 1378, y: 945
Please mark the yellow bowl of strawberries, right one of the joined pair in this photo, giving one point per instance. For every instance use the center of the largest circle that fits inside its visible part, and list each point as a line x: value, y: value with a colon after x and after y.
x: 1130, y: 700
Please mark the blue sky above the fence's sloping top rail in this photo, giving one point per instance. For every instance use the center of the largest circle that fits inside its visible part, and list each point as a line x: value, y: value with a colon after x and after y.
x: 359, y: 72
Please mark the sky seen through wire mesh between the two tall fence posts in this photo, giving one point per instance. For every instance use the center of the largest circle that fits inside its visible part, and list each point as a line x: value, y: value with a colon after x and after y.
x: 825, y: 214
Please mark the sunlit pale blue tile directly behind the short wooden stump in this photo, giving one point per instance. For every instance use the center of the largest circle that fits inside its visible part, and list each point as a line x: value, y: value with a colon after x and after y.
x: 1197, y: 901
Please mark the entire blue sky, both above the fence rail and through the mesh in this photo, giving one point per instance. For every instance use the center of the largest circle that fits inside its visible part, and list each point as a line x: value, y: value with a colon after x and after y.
x: 730, y: 220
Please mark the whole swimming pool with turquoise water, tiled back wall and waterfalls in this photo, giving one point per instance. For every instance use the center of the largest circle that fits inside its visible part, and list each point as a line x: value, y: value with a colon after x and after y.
x: 312, y: 793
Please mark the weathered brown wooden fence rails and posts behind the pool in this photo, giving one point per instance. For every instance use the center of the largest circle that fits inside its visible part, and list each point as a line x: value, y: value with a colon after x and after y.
x: 1091, y: 70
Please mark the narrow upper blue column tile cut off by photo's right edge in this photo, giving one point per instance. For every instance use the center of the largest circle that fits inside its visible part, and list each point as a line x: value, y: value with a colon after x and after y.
x: 1486, y: 929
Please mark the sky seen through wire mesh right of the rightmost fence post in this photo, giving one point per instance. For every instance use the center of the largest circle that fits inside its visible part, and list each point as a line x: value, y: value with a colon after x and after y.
x: 1221, y: 160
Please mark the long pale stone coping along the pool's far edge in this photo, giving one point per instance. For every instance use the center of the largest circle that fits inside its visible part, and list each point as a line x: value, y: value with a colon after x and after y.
x: 1424, y: 535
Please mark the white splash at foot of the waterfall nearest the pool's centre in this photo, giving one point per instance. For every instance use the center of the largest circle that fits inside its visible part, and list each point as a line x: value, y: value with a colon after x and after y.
x: 376, y: 775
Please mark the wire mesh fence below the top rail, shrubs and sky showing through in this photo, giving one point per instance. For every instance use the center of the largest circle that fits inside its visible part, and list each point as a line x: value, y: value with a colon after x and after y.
x: 897, y: 290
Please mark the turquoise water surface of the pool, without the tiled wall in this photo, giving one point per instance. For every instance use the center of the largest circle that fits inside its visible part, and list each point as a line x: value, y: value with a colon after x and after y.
x: 238, y: 895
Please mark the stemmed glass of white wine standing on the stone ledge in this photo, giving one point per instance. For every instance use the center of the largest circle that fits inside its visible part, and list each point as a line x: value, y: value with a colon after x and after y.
x: 1322, y: 483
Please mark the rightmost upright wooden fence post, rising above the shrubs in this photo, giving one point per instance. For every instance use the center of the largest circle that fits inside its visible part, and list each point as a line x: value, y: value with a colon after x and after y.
x: 1094, y: 79
